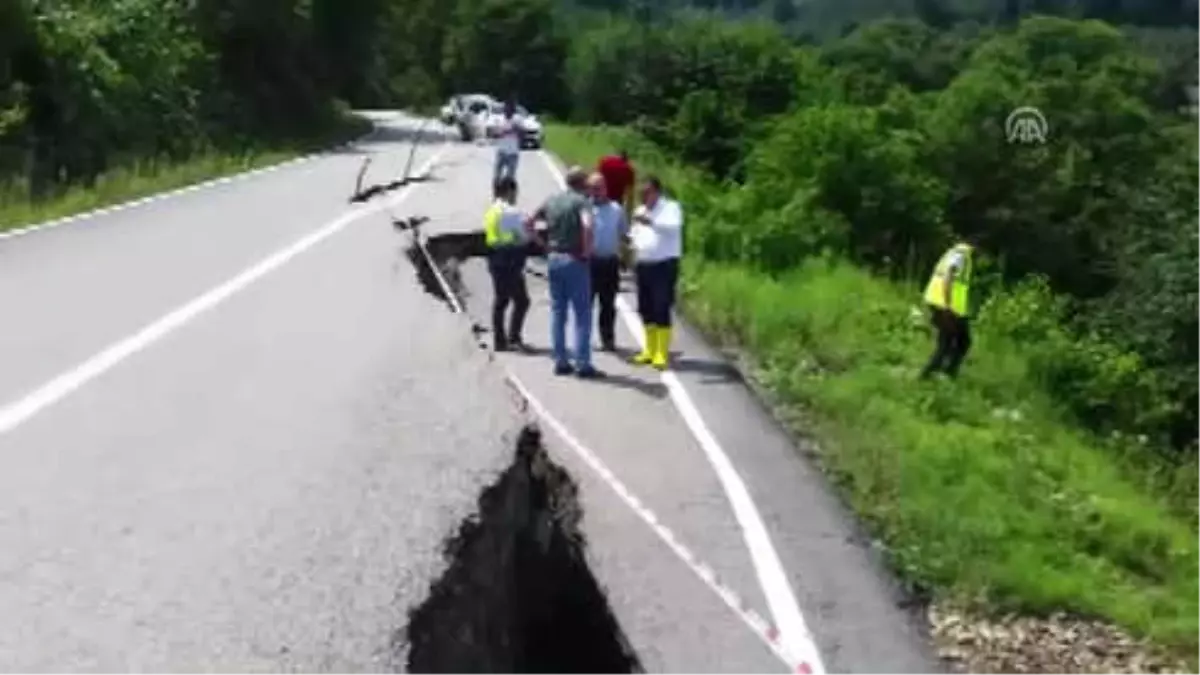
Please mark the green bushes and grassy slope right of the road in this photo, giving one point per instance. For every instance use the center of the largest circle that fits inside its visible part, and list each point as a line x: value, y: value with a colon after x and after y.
x: 1063, y: 471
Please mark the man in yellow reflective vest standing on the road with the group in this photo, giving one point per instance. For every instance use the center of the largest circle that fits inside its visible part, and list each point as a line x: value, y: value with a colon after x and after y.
x: 507, y: 250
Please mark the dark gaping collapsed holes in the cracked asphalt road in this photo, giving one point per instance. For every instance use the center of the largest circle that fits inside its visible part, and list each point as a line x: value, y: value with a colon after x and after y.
x: 518, y: 596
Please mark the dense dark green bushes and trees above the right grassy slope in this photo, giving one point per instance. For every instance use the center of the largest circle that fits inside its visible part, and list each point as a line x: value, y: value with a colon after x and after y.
x: 893, y: 140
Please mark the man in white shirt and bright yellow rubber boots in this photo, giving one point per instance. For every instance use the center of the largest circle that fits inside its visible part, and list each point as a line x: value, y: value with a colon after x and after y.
x: 658, y: 242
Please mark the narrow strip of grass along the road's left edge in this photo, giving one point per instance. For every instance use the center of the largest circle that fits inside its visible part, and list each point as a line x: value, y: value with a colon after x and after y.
x: 148, y: 177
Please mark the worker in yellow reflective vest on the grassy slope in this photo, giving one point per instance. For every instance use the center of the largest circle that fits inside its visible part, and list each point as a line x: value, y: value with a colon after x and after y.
x: 949, y: 296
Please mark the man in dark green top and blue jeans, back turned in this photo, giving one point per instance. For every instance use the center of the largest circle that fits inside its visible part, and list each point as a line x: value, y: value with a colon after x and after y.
x: 568, y: 246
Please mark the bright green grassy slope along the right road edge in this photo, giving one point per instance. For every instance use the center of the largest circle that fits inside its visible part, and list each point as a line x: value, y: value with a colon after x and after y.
x: 981, y: 491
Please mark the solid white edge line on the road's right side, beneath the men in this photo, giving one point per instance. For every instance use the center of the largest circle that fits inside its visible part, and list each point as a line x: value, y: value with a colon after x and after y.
x: 784, y: 607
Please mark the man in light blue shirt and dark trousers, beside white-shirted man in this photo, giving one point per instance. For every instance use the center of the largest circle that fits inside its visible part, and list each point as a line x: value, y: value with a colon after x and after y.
x: 610, y: 231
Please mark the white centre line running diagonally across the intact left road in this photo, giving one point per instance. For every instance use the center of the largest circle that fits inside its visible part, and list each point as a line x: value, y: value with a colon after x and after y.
x: 19, y: 413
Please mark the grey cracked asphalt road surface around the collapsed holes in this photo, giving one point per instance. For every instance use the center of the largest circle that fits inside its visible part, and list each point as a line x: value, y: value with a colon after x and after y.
x: 236, y: 433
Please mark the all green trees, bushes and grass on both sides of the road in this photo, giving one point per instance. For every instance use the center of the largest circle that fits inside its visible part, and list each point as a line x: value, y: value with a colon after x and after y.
x: 827, y: 153
